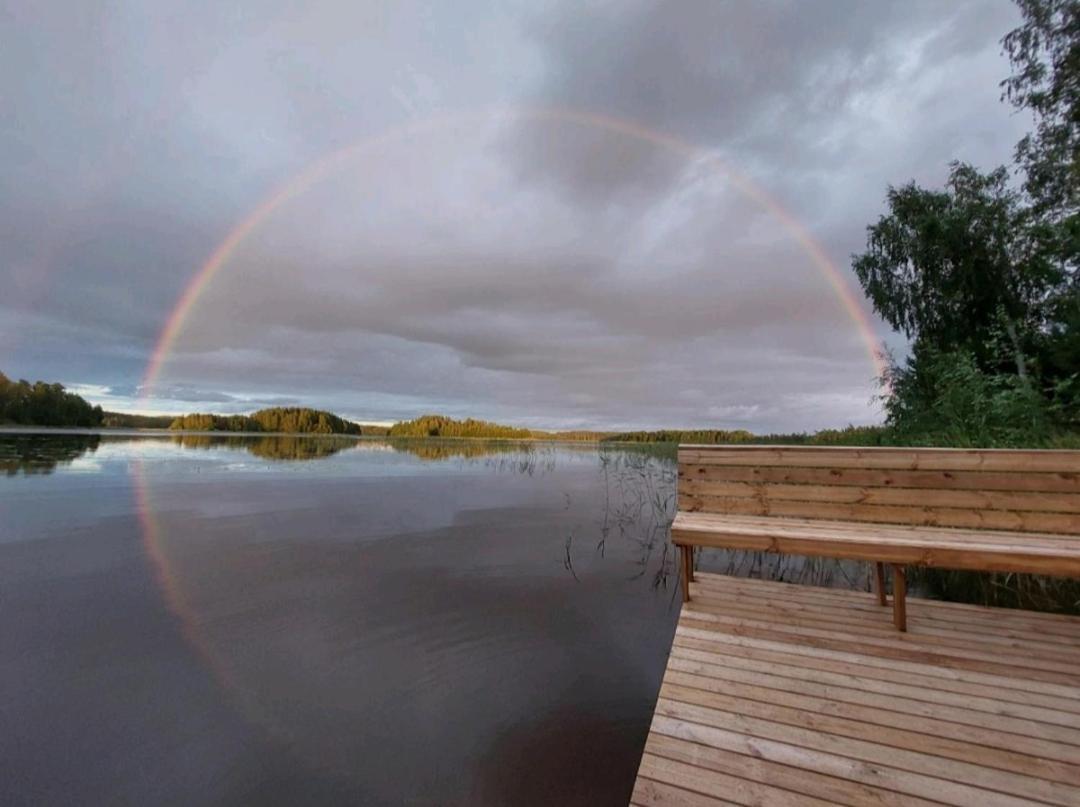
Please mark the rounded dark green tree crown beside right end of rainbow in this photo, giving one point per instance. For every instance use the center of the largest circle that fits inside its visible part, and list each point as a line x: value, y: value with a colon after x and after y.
x: 954, y: 268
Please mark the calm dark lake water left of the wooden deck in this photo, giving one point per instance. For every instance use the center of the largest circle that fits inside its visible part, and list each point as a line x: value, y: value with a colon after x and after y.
x: 283, y: 621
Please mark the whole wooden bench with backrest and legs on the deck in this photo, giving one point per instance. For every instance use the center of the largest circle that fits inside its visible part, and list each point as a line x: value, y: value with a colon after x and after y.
x: 984, y: 510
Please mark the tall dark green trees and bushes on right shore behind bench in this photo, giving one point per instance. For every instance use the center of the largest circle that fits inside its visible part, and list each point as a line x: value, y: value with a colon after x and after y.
x: 982, y: 275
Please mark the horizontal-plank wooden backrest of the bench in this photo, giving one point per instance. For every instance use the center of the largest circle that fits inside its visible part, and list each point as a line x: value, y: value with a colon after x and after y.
x: 1028, y: 491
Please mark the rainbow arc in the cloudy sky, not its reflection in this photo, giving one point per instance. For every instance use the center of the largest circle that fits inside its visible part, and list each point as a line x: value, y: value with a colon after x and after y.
x: 314, y: 173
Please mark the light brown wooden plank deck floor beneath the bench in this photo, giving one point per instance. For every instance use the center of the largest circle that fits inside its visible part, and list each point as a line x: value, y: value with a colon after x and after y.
x: 779, y: 694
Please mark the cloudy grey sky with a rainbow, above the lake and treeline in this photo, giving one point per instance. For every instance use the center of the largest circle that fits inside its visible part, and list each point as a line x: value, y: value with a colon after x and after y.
x: 612, y: 216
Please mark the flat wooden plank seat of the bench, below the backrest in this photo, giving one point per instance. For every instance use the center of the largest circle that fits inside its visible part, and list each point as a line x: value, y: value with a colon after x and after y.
x: 982, y: 550
